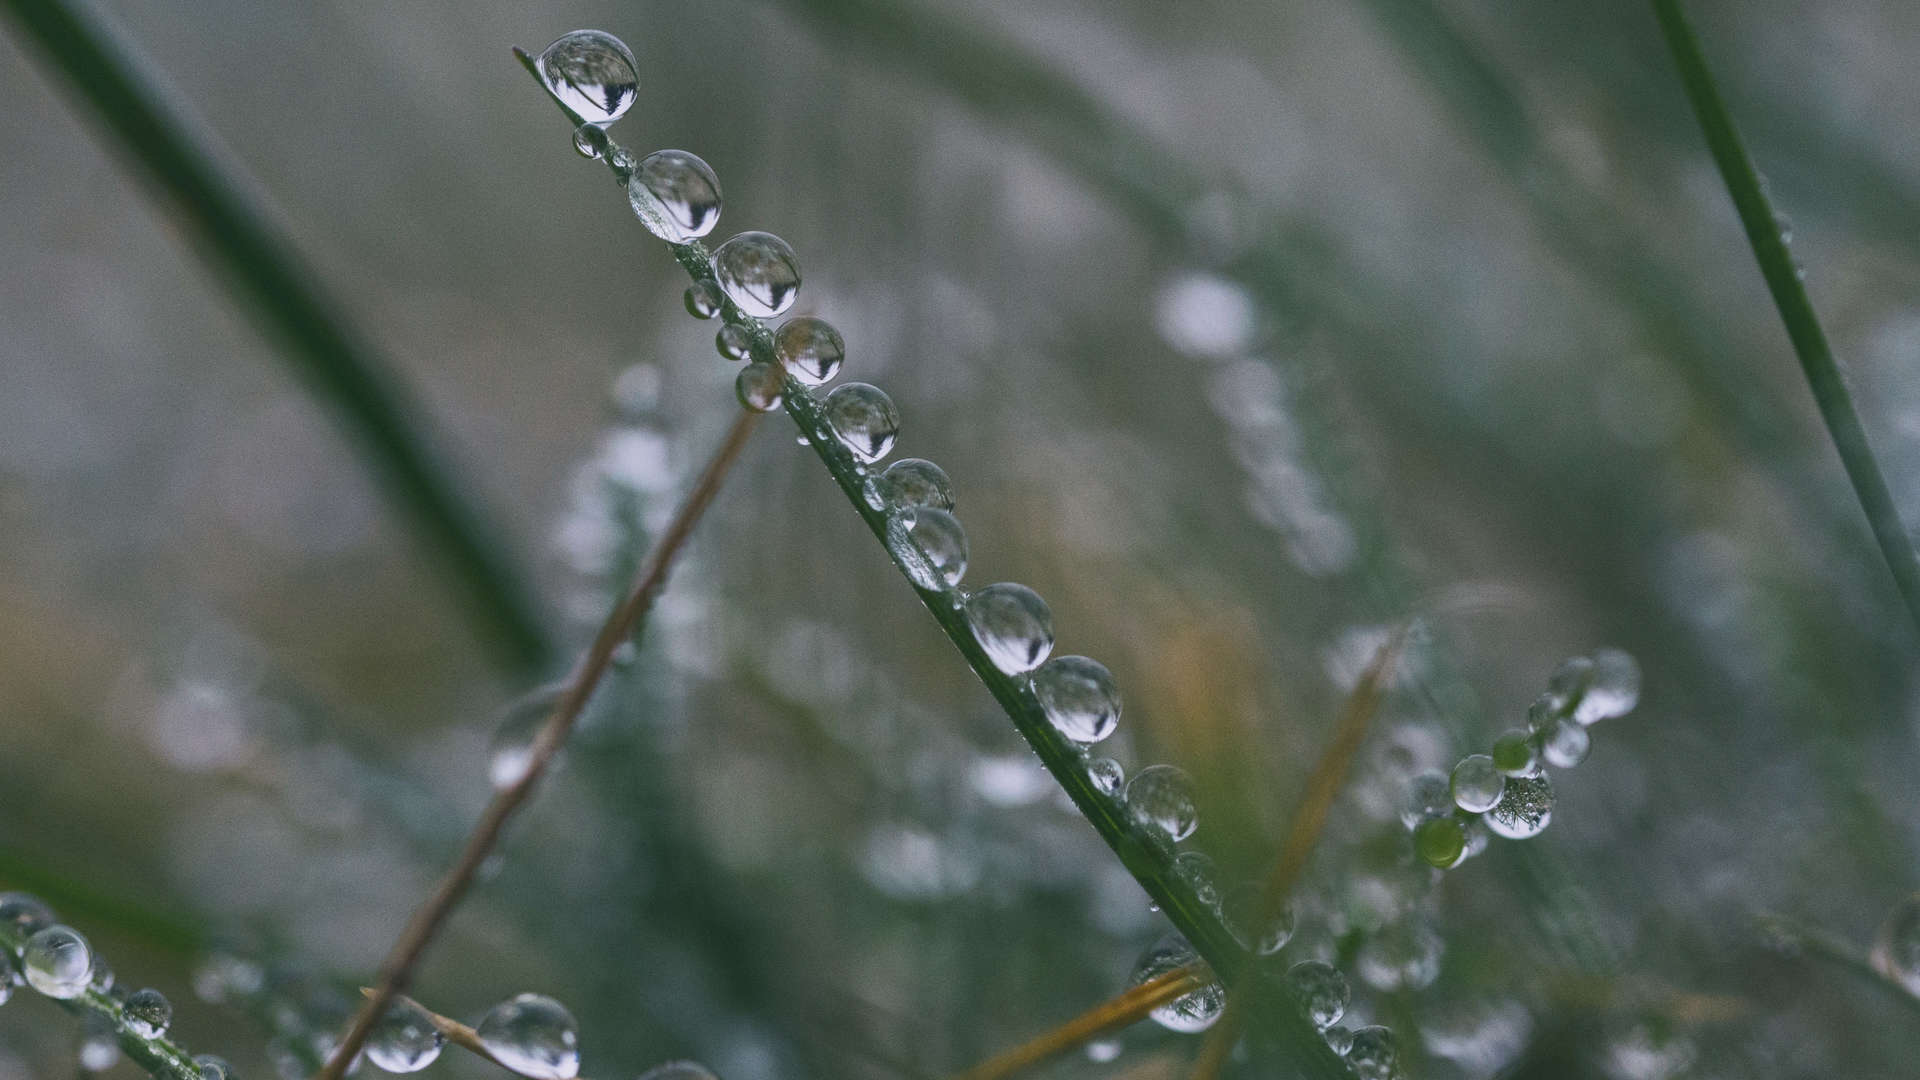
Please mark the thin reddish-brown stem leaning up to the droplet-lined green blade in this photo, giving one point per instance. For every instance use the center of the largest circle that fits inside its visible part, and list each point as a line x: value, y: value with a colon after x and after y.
x: 621, y: 626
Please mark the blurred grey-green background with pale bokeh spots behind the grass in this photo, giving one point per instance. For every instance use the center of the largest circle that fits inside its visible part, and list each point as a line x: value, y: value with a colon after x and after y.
x: 1247, y: 333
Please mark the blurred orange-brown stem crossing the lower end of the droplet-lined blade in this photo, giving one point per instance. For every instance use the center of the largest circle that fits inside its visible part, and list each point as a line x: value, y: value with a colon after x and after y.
x: 1326, y: 783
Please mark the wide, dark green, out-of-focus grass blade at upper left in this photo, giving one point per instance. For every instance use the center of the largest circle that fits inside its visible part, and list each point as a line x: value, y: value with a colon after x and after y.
x: 283, y: 299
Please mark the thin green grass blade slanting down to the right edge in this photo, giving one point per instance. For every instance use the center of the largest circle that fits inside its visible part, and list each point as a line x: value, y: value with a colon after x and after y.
x: 1796, y: 310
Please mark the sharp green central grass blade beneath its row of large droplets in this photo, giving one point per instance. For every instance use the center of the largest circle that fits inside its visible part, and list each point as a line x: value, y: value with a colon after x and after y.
x: 1147, y: 860
